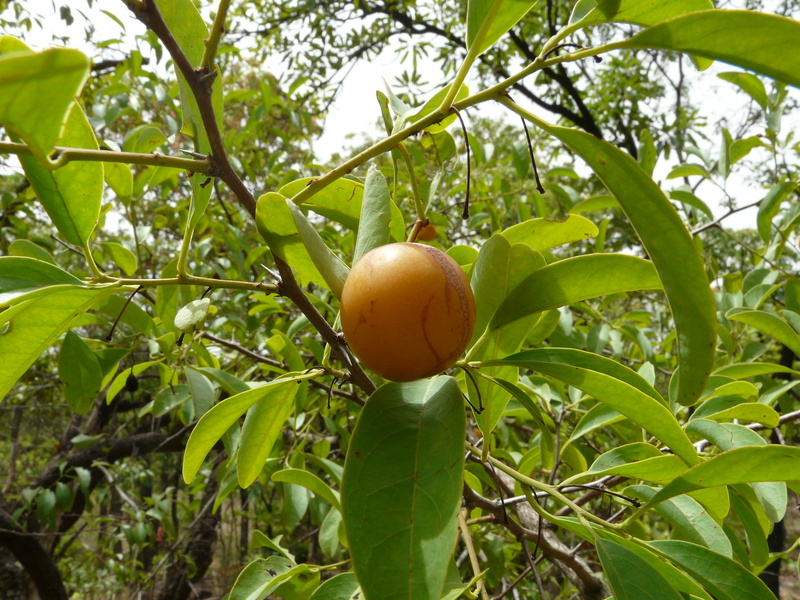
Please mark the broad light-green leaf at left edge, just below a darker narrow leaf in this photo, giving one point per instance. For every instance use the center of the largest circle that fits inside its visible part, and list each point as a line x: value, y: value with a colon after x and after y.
x: 32, y: 325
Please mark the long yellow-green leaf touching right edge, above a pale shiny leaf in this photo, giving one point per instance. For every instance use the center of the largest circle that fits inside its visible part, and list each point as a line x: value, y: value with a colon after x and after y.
x: 750, y: 464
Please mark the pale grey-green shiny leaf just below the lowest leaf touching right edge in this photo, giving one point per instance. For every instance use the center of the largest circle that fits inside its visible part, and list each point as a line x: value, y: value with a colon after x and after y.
x: 689, y: 520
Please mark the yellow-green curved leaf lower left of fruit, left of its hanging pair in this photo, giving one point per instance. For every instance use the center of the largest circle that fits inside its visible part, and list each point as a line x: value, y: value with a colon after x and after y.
x: 213, y: 425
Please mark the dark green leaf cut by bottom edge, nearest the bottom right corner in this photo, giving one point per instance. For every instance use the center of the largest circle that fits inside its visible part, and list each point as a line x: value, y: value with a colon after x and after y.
x: 721, y: 576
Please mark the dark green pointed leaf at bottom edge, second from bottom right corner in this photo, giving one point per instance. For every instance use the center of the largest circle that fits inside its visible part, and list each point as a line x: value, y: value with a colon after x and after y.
x: 631, y: 577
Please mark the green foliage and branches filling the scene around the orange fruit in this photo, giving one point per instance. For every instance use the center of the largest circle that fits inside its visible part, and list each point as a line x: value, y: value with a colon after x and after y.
x: 626, y: 380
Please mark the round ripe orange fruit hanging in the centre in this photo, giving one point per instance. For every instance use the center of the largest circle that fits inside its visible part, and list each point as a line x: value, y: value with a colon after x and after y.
x: 407, y: 311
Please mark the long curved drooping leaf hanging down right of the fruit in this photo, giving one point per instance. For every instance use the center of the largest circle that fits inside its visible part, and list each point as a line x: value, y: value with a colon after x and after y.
x: 670, y: 247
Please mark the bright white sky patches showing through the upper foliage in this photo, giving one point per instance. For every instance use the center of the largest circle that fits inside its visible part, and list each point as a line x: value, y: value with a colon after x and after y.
x: 356, y: 103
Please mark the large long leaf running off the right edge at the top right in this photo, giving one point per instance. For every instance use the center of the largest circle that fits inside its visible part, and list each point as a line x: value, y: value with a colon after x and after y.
x: 760, y: 42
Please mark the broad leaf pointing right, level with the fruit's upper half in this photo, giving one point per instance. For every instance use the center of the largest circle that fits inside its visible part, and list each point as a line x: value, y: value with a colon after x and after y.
x: 573, y: 280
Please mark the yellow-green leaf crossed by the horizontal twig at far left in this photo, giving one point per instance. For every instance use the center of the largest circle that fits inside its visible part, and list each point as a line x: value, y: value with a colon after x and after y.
x: 71, y: 194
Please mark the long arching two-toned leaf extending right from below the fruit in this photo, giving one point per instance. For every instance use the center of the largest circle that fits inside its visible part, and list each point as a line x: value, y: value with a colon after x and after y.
x: 613, y: 384
